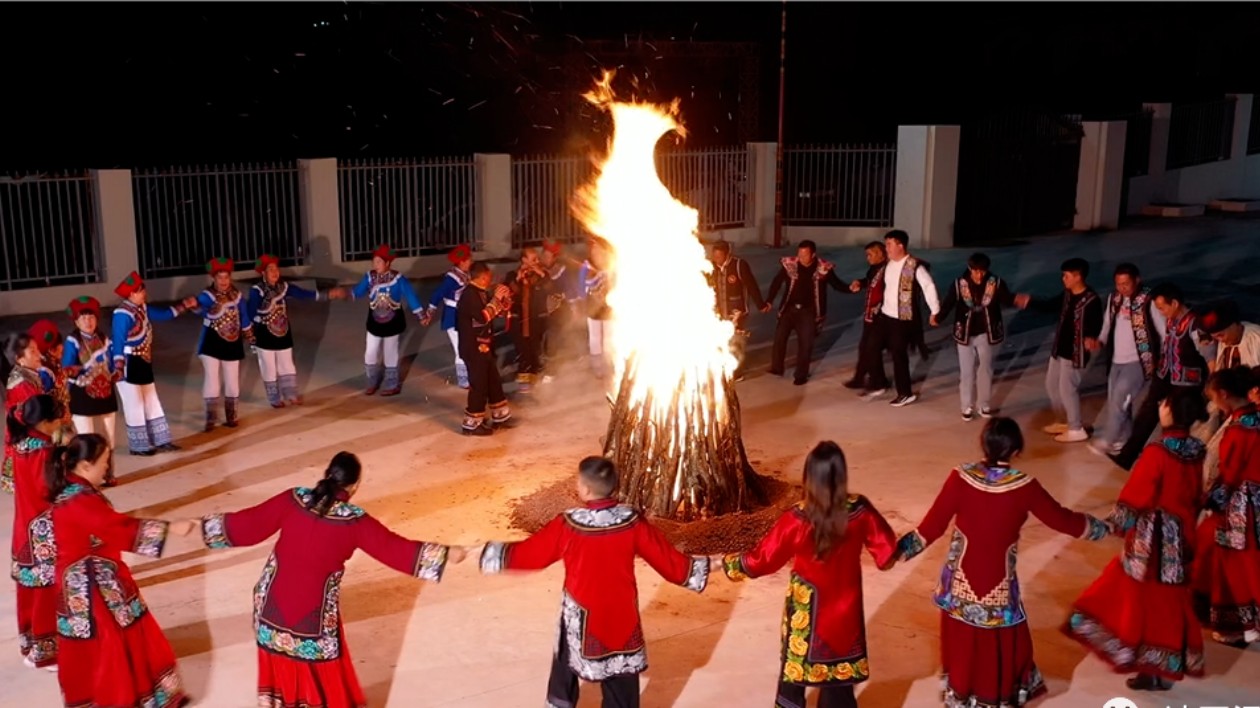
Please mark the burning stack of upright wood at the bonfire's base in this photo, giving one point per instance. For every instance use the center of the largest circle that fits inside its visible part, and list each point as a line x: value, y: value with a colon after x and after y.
x: 687, y: 464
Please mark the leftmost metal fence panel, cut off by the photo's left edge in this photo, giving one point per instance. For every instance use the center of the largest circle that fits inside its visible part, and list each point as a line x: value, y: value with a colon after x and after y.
x: 49, y: 231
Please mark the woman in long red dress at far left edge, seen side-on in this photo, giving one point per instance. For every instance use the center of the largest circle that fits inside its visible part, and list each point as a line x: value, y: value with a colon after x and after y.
x: 35, y: 557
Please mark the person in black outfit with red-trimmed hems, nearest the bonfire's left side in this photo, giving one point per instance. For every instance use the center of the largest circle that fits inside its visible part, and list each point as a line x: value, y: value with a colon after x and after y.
x: 476, y: 314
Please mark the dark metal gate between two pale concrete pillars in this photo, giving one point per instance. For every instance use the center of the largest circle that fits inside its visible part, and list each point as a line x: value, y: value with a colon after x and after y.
x: 1017, y: 176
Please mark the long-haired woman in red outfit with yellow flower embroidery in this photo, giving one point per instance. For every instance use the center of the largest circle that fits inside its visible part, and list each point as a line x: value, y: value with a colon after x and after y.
x: 825, y: 624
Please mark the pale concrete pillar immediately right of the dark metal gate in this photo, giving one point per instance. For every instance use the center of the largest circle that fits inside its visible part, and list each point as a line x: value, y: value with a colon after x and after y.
x: 1101, y: 178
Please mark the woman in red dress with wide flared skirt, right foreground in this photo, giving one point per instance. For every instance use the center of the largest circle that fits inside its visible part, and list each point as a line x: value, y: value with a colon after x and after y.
x: 1138, y: 614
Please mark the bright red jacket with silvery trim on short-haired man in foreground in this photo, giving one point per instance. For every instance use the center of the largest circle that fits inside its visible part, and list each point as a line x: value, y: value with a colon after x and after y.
x: 600, y: 607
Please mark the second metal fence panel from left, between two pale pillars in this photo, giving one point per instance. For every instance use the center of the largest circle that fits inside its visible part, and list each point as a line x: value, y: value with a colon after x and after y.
x: 187, y: 216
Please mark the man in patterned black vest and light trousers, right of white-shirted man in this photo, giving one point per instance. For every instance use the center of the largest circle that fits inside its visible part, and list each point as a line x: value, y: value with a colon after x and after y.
x: 977, y: 299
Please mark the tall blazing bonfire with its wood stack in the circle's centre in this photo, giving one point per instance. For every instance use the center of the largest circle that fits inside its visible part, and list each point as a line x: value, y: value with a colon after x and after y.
x: 675, y: 431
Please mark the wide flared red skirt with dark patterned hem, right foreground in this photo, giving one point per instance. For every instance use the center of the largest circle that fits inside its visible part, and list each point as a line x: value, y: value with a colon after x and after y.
x: 1140, y: 627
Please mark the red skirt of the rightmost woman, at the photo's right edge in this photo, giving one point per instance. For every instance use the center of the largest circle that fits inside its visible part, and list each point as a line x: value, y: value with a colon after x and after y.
x: 1227, y: 583
